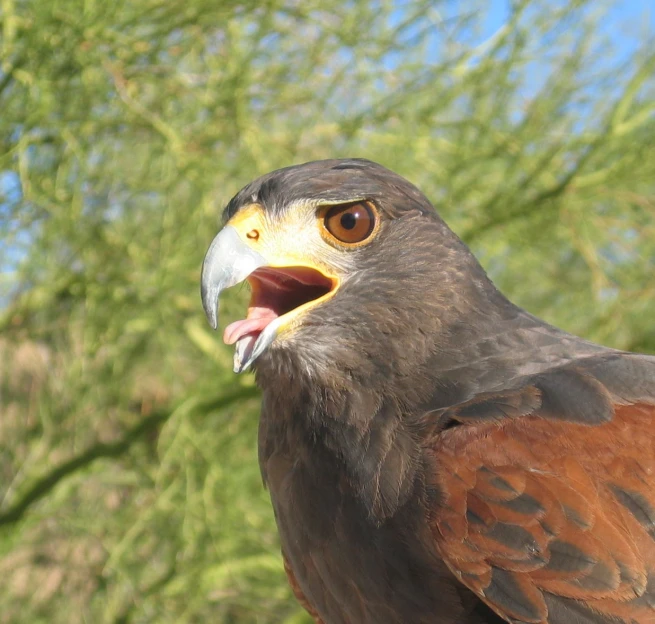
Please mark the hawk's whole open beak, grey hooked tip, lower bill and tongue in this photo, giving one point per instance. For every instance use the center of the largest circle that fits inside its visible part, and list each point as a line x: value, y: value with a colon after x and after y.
x: 281, y: 290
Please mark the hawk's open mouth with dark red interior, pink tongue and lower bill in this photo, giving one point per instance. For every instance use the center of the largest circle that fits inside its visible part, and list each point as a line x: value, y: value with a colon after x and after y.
x: 276, y: 293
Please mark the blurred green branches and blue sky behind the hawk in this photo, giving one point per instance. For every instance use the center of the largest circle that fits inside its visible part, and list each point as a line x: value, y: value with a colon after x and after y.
x: 129, y: 486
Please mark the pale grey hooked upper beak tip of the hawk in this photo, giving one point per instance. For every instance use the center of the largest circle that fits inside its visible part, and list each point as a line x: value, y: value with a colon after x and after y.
x: 228, y: 262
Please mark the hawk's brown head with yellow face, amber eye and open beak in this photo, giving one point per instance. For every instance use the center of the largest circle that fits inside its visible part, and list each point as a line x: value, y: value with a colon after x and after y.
x: 350, y: 269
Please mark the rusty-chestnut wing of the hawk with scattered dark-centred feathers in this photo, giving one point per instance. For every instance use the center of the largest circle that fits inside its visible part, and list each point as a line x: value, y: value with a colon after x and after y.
x: 551, y: 521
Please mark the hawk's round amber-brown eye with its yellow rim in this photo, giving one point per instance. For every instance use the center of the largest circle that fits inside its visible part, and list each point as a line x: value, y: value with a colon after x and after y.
x: 351, y: 224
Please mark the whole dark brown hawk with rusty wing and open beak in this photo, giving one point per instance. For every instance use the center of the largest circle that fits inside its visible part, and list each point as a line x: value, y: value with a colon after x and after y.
x: 434, y: 453
